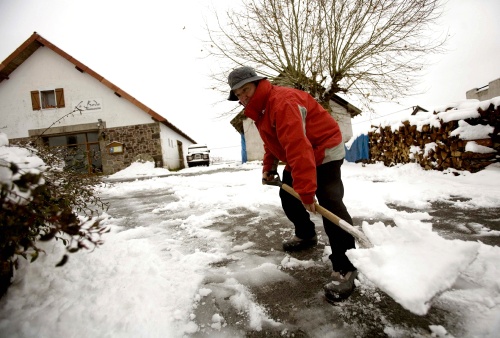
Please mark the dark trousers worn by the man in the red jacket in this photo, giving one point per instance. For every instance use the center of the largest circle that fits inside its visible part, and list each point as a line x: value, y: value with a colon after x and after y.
x: 330, y: 192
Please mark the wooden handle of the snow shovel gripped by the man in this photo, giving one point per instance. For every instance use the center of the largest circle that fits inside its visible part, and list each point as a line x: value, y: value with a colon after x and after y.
x: 360, y: 237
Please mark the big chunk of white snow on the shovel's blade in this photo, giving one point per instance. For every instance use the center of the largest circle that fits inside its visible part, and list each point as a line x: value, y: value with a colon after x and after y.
x: 415, y: 277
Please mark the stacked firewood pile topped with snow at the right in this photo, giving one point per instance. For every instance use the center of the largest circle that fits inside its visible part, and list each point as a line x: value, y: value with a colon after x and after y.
x: 436, y: 146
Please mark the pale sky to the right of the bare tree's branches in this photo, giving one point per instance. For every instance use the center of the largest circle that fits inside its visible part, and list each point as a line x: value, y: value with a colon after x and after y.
x: 471, y: 60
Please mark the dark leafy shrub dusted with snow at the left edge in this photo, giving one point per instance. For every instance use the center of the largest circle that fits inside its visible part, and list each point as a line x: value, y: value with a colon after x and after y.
x: 40, y: 201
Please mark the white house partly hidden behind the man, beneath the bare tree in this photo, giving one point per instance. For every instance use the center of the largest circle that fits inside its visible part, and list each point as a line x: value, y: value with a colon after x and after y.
x: 252, y: 145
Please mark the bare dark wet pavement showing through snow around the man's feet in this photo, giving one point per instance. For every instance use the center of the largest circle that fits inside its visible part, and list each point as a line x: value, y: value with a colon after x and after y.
x: 300, y: 304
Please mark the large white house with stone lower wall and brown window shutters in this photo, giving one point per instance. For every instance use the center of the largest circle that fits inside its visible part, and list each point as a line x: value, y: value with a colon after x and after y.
x: 49, y: 96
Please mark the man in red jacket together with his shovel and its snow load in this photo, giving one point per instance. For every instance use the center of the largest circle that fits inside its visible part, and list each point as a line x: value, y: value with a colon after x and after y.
x: 299, y: 132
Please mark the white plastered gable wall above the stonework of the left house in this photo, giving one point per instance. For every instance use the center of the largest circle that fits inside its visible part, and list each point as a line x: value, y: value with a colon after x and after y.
x: 46, y: 70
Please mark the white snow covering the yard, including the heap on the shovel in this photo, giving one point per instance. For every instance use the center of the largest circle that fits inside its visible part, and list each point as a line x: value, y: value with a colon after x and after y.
x: 146, y: 280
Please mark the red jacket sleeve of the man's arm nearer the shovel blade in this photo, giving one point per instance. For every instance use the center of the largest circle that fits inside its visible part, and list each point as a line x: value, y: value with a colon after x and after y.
x: 291, y: 130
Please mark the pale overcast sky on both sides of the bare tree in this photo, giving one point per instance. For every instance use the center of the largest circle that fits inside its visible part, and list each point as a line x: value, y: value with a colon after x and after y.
x: 153, y: 50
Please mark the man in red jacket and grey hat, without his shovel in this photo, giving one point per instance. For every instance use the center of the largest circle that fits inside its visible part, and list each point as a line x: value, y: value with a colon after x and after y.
x: 297, y: 130
